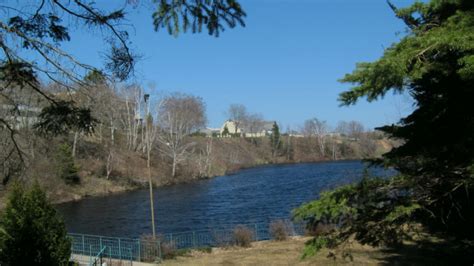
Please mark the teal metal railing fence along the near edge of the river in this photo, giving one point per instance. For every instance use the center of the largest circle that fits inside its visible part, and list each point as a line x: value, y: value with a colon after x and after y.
x: 149, y: 249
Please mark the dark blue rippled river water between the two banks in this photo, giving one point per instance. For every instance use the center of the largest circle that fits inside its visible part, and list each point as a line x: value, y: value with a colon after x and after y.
x: 256, y: 195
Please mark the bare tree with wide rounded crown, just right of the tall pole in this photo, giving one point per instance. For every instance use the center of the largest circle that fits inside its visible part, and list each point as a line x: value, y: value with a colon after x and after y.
x: 179, y: 115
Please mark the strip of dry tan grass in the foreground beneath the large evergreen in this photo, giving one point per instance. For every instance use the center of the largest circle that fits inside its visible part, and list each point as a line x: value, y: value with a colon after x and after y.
x: 430, y: 251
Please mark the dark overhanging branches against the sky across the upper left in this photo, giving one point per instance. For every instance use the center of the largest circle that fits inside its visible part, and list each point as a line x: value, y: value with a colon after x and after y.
x: 32, y: 33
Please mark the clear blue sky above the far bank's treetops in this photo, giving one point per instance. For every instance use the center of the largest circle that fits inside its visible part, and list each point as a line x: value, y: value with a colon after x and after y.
x: 284, y: 64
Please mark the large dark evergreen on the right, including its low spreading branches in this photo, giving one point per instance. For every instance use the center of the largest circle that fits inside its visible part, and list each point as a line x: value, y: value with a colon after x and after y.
x: 434, y: 63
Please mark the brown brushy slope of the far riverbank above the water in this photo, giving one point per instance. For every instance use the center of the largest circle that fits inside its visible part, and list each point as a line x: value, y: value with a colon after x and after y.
x: 105, y: 171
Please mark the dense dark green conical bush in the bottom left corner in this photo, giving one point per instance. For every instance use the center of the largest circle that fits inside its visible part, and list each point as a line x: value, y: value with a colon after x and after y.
x: 33, y: 232
